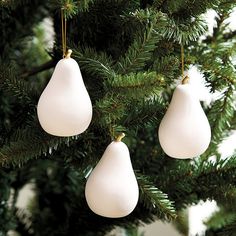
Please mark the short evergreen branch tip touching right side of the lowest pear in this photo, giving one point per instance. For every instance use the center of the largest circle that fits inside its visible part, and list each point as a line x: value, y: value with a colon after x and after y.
x: 153, y: 198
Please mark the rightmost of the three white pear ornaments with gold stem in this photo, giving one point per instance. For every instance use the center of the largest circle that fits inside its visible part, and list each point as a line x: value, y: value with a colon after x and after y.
x: 184, y: 132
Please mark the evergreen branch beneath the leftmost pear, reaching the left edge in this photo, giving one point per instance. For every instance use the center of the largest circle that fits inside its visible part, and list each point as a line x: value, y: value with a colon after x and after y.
x: 30, y: 142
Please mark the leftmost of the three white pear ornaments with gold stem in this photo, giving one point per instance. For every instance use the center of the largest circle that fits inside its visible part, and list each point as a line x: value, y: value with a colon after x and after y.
x: 64, y: 107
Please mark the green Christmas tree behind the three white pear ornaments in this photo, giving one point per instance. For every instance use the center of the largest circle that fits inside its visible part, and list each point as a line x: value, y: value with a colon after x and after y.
x: 129, y: 53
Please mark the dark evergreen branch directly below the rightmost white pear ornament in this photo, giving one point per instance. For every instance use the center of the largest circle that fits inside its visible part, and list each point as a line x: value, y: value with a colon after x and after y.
x: 204, y: 180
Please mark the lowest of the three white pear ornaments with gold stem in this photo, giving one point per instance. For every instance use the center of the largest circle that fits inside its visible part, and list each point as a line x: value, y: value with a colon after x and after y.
x: 112, y: 189
